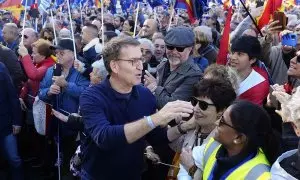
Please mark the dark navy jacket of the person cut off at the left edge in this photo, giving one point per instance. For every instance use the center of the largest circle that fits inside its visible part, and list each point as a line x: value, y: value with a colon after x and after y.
x: 10, y: 110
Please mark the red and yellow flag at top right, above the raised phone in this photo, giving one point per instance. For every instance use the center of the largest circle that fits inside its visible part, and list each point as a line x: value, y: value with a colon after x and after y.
x: 270, y: 7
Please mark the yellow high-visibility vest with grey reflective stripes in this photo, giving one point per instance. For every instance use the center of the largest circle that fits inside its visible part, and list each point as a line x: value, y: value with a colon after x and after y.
x: 256, y: 168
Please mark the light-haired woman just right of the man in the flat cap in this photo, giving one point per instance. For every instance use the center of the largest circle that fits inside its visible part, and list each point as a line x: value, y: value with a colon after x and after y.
x: 203, y: 44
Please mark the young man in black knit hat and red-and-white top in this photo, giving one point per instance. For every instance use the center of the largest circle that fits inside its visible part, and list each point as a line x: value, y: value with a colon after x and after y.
x: 255, y: 85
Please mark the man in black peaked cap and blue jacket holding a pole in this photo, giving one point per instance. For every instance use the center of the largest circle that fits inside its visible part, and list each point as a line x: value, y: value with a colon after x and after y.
x: 66, y: 88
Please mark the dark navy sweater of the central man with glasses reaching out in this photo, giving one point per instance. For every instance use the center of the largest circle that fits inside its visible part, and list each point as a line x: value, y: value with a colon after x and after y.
x: 105, y: 112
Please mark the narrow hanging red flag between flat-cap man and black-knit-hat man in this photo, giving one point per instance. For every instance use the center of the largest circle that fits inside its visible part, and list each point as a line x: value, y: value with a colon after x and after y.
x: 224, y: 42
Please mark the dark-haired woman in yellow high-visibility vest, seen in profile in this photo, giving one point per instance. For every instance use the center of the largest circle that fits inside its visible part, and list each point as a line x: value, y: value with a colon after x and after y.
x: 244, y: 146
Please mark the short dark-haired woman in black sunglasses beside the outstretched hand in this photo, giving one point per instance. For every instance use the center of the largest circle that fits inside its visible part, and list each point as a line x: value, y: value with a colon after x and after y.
x: 211, y: 98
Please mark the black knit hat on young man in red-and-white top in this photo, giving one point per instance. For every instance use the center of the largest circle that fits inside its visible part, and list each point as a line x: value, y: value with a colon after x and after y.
x: 247, y: 44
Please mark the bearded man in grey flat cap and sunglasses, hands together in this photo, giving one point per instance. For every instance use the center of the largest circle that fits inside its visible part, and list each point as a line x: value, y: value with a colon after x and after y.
x: 176, y: 76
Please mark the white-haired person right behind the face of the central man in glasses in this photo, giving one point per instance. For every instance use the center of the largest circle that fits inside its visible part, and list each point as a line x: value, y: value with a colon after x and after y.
x: 150, y: 63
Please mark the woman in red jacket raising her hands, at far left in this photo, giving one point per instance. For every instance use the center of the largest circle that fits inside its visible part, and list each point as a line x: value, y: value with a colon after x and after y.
x: 35, y: 68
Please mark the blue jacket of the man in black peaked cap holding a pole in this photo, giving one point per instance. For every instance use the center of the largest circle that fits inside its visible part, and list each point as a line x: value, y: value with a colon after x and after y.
x: 69, y: 98
